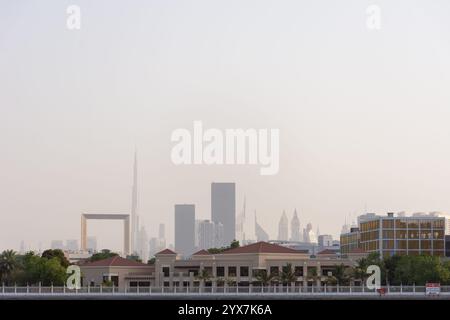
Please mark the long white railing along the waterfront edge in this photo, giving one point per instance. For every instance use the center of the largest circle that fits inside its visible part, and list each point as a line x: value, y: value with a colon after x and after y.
x: 227, y: 290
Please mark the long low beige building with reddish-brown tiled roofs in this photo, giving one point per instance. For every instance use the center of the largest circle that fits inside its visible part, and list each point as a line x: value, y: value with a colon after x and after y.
x: 233, y: 267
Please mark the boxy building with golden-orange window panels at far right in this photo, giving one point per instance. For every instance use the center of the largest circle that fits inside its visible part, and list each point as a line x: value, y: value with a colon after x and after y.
x: 402, y: 235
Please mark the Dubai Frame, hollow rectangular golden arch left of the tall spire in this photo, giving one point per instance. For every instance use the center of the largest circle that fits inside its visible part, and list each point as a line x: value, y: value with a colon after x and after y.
x: 126, y: 228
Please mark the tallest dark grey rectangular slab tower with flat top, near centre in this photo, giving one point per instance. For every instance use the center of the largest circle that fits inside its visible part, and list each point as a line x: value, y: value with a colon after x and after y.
x: 223, y: 208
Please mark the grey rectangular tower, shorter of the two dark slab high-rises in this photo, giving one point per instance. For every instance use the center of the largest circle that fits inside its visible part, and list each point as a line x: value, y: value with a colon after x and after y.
x: 185, y: 229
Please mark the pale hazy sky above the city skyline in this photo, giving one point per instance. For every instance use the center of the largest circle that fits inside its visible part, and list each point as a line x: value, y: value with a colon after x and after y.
x: 364, y: 115
